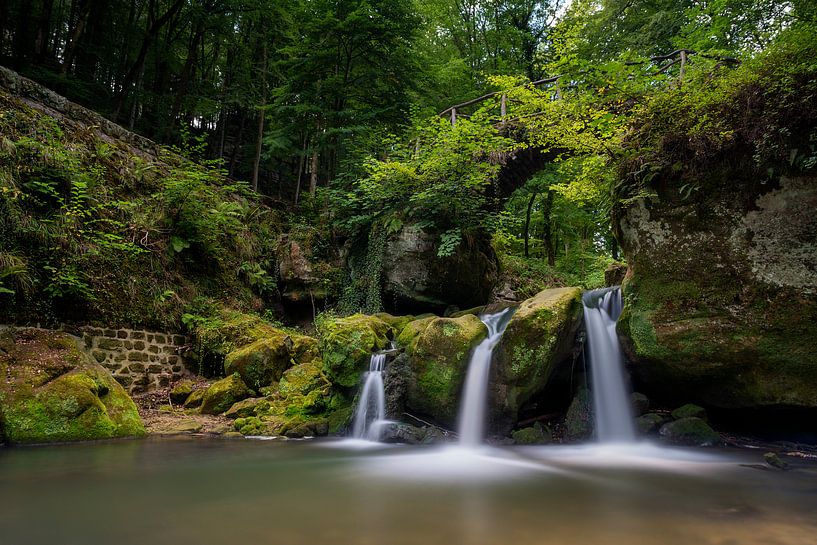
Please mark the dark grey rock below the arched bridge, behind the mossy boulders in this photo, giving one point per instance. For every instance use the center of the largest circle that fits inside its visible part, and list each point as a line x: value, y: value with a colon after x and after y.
x: 416, y: 278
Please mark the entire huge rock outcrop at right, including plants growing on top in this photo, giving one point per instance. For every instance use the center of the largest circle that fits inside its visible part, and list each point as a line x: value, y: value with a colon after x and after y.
x: 721, y: 292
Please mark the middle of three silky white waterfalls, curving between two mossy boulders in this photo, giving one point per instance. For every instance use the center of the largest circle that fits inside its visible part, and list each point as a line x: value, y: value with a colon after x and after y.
x: 472, y: 411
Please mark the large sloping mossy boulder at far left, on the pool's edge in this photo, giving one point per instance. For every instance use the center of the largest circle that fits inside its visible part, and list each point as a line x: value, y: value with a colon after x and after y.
x: 51, y: 391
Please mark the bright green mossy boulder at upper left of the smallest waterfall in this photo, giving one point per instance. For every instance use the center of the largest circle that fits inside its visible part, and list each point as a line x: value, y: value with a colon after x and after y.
x: 346, y: 345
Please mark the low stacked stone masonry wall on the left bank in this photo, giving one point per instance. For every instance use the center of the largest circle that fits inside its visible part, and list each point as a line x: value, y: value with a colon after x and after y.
x: 139, y: 360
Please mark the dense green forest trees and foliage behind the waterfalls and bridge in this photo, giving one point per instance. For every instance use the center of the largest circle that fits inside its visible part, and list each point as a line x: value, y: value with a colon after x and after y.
x: 328, y: 110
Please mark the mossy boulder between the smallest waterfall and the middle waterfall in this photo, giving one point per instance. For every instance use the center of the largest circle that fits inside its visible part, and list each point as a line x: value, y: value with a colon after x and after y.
x: 438, y: 351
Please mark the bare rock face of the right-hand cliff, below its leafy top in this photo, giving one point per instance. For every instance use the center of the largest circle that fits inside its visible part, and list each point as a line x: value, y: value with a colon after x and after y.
x: 721, y: 295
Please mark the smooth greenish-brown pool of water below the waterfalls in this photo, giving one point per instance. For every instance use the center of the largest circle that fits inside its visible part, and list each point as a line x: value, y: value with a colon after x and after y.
x: 206, y: 491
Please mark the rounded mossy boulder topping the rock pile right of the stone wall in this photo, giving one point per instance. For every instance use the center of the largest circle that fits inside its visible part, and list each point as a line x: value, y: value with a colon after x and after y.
x: 262, y: 362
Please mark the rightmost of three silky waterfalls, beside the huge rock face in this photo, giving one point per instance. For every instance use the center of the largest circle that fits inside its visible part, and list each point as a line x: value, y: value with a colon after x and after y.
x: 611, y: 400
